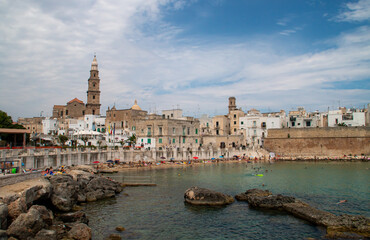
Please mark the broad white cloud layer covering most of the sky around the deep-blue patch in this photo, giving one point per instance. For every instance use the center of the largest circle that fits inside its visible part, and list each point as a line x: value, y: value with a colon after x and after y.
x: 47, y: 51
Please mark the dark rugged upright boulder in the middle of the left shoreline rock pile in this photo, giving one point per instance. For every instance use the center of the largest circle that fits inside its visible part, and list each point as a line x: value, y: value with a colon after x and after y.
x: 65, y: 190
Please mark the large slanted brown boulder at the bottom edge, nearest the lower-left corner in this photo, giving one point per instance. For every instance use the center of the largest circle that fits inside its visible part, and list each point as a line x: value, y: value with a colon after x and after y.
x: 27, y: 225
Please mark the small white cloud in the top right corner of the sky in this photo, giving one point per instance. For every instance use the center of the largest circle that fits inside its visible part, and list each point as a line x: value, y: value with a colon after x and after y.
x: 354, y: 12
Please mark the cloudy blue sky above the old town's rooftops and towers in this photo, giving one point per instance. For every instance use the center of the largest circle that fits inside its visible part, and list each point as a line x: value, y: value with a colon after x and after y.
x: 188, y: 54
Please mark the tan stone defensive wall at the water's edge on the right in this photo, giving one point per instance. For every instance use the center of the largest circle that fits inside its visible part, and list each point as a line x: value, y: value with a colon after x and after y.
x: 320, y: 142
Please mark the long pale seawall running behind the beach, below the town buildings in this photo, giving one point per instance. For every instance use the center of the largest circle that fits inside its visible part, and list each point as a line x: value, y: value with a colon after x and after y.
x: 41, y: 158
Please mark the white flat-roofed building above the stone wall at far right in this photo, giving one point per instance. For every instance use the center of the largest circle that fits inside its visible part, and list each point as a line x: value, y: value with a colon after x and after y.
x: 350, y: 117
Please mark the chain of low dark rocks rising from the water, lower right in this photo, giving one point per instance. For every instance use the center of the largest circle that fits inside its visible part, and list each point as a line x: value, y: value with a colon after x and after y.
x: 337, y: 227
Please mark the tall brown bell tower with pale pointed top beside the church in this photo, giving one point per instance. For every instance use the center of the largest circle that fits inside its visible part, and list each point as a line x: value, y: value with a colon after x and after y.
x: 93, y: 91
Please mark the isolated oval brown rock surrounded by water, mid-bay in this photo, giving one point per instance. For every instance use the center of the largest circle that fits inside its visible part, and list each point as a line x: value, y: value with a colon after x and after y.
x: 203, y: 196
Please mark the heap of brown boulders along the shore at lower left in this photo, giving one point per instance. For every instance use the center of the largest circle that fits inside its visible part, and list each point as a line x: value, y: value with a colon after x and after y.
x: 49, y: 209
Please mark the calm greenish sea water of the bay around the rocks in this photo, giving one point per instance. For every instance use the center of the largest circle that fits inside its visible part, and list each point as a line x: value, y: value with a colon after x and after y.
x: 160, y: 213
